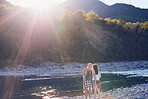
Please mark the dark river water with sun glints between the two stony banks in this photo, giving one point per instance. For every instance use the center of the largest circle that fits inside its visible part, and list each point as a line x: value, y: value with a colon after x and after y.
x: 37, y: 87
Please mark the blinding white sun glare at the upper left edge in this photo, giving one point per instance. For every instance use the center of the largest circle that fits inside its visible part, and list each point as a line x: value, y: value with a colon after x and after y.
x: 35, y: 4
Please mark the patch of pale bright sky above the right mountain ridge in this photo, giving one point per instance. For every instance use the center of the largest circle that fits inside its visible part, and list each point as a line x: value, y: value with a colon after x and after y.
x: 136, y: 3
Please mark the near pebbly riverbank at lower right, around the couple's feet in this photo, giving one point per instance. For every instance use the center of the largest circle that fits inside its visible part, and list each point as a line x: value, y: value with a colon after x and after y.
x: 139, y: 91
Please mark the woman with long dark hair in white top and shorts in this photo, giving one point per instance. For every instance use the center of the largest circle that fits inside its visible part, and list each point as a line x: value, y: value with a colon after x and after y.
x: 96, y: 80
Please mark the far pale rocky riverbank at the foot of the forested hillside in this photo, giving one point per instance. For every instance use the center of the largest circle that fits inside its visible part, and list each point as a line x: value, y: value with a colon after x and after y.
x: 56, y: 69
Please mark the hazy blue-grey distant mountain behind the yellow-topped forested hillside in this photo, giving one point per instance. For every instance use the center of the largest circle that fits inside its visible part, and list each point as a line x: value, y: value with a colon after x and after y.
x: 126, y: 12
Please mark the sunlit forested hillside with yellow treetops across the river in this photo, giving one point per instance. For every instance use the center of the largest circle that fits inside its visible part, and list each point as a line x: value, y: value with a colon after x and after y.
x: 73, y: 37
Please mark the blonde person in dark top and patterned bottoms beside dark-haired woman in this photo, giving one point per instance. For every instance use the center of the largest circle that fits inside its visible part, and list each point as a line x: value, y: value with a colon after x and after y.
x: 87, y: 80
